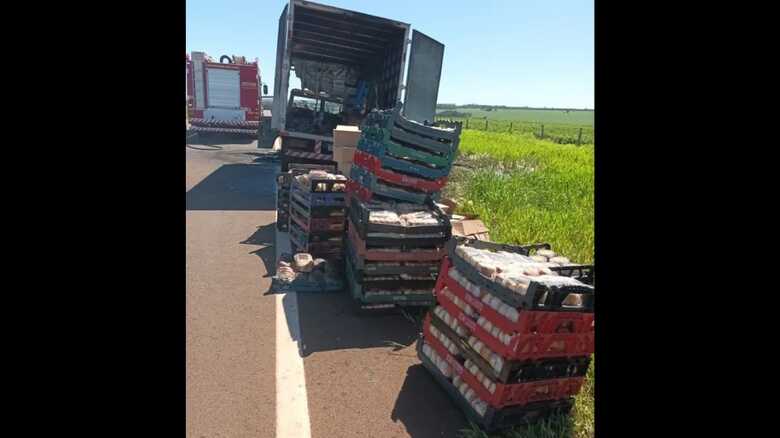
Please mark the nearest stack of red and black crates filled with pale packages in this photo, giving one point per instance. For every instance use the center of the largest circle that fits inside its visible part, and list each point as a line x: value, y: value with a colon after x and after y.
x: 511, y: 336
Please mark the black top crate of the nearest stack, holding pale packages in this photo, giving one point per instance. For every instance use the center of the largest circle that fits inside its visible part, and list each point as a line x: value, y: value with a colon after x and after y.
x: 536, y: 290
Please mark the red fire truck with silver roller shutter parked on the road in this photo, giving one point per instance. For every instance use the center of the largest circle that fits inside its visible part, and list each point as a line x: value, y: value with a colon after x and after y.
x: 223, y: 96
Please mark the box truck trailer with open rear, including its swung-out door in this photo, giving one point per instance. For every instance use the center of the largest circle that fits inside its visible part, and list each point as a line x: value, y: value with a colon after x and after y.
x: 348, y: 63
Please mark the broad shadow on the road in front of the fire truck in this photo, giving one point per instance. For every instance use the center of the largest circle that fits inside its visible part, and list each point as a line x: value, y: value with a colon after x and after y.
x: 239, y: 186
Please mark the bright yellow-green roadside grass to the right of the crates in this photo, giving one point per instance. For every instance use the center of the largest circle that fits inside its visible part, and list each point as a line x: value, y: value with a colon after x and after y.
x: 528, y: 190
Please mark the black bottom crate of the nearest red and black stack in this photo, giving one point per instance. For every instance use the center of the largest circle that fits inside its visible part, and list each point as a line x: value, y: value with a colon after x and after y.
x: 495, y: 419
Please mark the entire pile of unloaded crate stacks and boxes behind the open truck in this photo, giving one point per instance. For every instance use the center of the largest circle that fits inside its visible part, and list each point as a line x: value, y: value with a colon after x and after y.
x: 510, y: 329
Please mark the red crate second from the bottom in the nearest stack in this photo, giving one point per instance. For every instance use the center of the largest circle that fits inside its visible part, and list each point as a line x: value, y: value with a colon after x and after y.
x: 517, y: 394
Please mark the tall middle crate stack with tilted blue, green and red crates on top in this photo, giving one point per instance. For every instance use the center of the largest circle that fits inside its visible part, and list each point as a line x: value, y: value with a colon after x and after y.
x: 396, y: 234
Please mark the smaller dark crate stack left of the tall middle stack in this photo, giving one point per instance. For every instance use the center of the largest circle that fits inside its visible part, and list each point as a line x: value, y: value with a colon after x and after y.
x: 317, y: 214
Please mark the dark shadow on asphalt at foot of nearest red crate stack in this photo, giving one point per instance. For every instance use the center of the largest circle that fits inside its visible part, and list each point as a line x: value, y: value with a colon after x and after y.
x: 424, y: 408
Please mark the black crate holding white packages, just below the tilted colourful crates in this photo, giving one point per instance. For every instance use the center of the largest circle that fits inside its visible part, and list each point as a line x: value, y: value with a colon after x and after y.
x: 359, y: 213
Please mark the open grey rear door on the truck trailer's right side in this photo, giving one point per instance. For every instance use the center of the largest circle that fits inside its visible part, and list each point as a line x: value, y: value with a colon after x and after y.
x: 422, y: 79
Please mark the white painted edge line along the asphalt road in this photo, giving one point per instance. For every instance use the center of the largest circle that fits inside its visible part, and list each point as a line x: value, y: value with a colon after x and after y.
x: 292, y: 405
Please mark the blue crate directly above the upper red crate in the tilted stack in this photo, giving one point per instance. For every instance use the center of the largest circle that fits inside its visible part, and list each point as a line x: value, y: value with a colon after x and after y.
x: 379, y: 145
